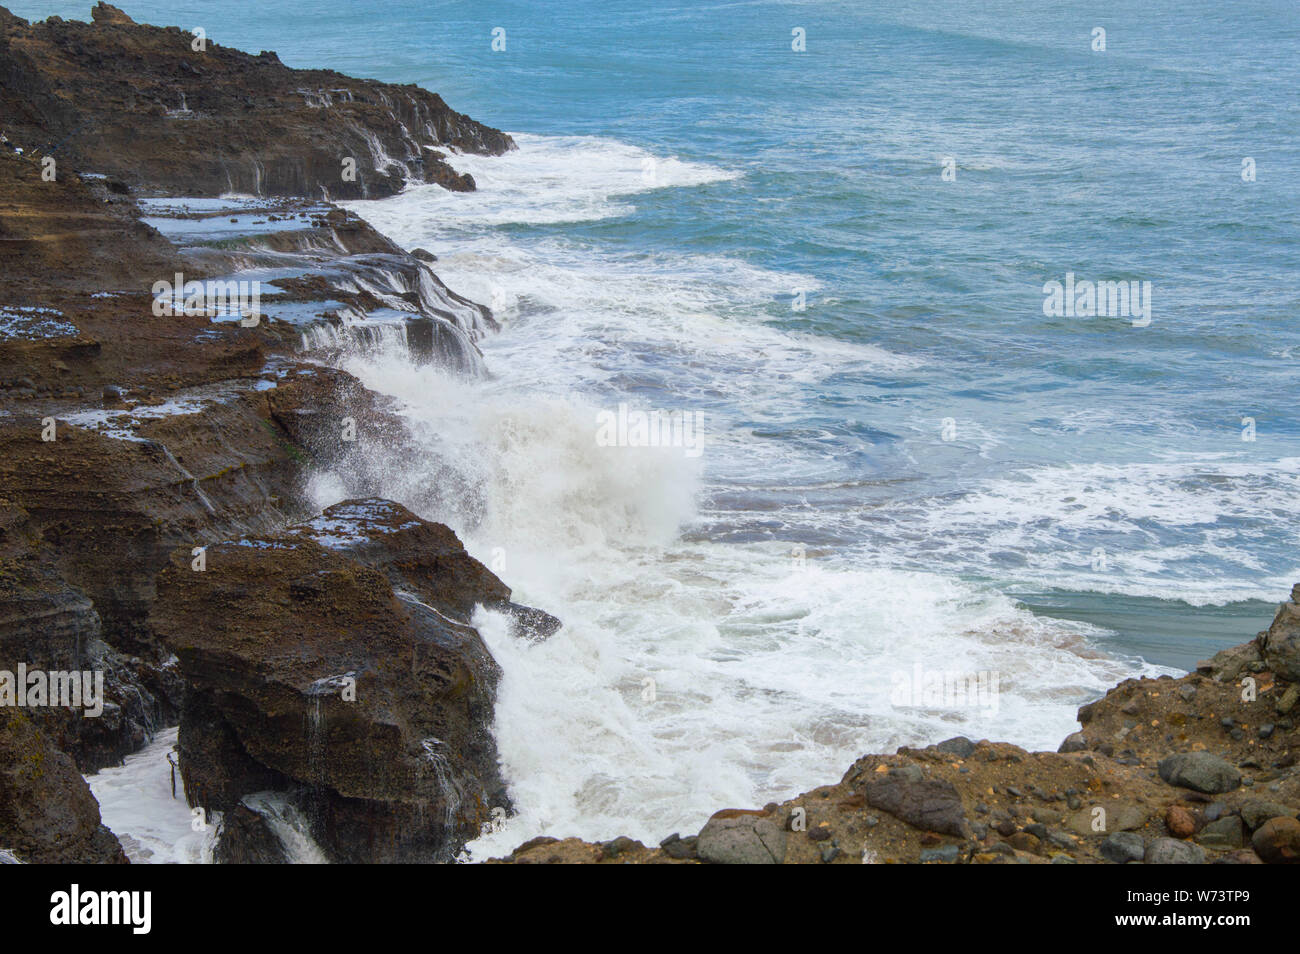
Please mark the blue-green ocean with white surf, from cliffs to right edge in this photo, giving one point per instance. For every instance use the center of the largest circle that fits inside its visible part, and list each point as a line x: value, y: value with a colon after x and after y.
x: 835, y: 263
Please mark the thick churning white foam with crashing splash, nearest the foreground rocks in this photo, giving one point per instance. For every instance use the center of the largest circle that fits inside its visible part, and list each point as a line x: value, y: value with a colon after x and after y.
x: 766, y: 678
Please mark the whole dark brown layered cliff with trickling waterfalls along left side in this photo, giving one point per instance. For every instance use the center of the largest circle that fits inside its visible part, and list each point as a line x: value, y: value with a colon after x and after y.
x: 141, y: 444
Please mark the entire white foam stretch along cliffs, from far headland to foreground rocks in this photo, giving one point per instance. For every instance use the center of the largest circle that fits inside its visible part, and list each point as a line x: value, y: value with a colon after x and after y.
x: 766, y: 678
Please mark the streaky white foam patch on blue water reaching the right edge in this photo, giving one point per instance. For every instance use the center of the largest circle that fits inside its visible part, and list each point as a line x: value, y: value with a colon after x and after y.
x: 1162, y: 522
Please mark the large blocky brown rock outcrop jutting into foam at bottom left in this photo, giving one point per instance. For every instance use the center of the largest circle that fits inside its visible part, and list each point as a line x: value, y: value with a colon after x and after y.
x: 310, y: 675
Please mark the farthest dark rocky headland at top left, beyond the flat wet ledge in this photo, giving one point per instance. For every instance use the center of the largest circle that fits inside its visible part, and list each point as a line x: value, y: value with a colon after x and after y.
x: 125, y: 99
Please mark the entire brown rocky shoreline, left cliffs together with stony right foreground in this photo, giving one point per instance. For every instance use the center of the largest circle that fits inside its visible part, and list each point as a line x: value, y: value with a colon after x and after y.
x: 157, y: 523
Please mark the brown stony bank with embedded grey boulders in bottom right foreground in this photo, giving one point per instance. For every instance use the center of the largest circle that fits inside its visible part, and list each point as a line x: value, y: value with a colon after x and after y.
x: 1164, y: 771
